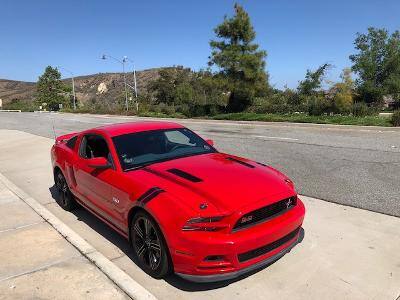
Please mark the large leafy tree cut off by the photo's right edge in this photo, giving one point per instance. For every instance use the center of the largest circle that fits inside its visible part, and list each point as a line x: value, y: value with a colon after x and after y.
x: 377, y: 64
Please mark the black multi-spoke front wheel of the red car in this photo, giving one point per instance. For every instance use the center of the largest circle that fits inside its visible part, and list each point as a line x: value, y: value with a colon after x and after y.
x: 149, y: 246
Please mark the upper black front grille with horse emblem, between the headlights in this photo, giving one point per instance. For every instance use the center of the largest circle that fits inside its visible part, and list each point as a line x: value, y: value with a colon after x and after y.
x: 264, y: 213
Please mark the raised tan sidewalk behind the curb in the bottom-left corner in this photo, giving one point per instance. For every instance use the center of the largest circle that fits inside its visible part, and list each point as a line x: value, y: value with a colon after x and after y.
x: 38, y: 263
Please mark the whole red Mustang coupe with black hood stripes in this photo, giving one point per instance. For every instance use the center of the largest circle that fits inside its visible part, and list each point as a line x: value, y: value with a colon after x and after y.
x: 184, y: 206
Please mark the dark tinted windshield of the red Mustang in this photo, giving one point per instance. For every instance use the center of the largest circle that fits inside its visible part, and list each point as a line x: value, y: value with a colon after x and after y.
x: 136, y: 150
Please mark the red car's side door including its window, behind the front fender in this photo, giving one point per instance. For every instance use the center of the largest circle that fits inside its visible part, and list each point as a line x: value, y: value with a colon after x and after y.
x: 95, y: 184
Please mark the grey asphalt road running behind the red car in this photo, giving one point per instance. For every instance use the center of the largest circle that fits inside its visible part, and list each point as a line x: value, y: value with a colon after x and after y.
x: 356, y: 166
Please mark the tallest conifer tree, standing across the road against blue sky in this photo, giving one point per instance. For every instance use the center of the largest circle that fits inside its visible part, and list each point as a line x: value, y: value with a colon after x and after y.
x: 239, y: 60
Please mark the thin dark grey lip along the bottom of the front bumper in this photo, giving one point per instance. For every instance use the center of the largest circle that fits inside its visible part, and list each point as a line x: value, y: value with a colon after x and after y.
x: 235, y: 274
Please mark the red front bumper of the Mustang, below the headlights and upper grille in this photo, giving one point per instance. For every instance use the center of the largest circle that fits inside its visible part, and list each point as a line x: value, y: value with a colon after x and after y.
x: 204, y: 256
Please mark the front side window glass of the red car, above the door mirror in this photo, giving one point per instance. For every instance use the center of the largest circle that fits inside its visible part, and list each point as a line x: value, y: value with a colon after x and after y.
x: 94, y: 146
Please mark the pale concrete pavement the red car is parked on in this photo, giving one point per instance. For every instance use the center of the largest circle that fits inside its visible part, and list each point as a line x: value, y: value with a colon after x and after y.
x: 347, y: 253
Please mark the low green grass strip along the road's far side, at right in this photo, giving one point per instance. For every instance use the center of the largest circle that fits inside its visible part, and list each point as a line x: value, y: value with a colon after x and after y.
x: 303, y: 118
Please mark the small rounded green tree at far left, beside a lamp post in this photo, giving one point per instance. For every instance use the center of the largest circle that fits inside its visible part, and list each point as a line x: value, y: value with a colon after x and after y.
x: 50, y: 89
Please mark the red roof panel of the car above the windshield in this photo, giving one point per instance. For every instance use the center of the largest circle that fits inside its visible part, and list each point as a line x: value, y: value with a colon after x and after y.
x: 133, y: 127
